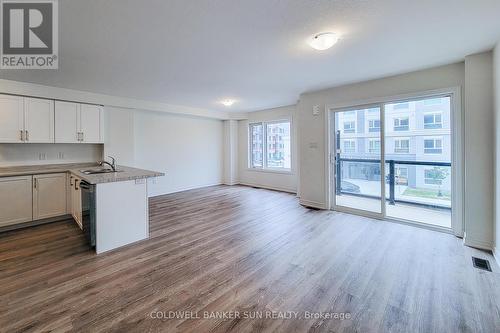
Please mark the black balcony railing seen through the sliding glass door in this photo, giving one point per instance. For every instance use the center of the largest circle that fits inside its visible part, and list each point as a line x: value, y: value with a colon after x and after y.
x: 390, y: 179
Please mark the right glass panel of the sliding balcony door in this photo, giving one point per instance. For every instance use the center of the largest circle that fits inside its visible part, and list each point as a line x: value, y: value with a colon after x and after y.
x: 418, y: 160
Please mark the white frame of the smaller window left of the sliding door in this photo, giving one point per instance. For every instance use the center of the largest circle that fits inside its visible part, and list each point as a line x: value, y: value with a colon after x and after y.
x: 264, y: 167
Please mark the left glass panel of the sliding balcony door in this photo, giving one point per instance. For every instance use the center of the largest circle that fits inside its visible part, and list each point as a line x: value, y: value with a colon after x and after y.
x: 357, y: 163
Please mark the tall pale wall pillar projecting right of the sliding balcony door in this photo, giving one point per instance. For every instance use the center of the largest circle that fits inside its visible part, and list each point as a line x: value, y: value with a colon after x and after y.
x: 479, y: 152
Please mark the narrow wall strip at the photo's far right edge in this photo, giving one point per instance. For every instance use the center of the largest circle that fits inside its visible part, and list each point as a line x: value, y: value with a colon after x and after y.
x: 496, y: 73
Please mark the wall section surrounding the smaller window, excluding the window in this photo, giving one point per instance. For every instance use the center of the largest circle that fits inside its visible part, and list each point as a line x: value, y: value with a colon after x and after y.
x: 279, y: 181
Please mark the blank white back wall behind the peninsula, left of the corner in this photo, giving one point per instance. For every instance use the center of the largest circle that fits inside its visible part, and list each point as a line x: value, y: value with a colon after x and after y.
x: 188, y: 150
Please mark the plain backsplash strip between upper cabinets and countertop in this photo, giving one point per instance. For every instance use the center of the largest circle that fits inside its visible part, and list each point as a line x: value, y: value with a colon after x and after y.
x: 13, y: 154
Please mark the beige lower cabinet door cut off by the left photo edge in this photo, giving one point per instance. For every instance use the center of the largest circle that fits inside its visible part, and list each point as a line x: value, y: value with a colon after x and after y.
x: 15, y: 200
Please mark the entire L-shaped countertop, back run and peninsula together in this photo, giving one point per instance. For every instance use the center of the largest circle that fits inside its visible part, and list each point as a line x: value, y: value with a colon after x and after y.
x: 126, y: 173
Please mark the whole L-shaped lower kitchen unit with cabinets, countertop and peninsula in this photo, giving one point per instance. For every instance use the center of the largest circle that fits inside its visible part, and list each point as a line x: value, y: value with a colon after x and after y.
x: 111, y: 207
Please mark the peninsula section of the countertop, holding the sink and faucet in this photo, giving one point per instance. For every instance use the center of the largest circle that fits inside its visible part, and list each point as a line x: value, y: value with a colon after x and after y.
x: 124, y: 173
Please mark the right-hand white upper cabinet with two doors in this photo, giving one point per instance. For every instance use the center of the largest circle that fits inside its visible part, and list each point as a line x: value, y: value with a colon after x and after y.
x: 78, y: 123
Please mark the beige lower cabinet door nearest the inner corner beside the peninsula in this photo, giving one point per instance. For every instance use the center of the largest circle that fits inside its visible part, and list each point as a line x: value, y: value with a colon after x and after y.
x: 49, y: 195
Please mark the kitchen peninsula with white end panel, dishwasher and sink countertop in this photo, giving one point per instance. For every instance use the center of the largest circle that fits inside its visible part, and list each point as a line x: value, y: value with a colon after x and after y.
x: 114, y: 208
